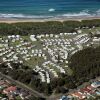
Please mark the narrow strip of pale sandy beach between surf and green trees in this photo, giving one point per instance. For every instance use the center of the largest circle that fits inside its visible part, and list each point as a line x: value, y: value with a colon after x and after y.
x: 17, y: 20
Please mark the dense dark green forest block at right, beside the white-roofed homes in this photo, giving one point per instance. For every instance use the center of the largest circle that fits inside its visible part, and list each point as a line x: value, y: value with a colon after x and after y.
x: 85, y: 65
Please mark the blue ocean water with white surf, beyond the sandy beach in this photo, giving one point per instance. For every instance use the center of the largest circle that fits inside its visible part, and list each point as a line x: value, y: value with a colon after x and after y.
x: 48, y: 8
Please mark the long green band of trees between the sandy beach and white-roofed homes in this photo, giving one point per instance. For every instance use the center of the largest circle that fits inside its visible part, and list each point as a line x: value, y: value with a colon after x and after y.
x: 51, y: 27
